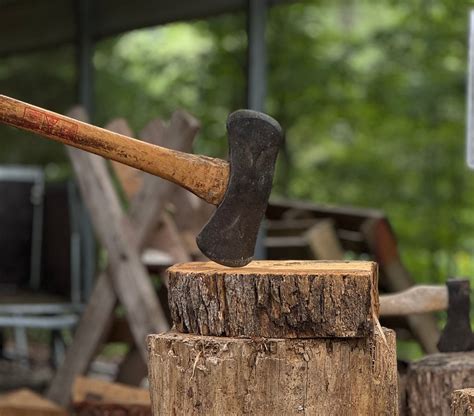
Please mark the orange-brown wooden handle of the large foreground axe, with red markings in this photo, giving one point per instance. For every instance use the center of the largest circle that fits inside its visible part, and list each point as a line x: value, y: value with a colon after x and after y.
x: 204, y: 176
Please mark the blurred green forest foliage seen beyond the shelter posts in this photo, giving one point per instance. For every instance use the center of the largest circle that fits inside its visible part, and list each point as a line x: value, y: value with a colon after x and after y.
x: 371, y: 95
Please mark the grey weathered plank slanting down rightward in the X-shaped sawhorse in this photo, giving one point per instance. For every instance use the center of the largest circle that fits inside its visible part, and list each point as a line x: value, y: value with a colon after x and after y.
x: 114, y: 230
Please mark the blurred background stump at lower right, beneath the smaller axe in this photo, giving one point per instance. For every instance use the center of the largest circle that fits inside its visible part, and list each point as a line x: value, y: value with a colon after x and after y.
x: 431, y: 381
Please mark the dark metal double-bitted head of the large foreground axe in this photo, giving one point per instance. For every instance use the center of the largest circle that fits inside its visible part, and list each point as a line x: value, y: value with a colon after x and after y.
x: 229, y: 236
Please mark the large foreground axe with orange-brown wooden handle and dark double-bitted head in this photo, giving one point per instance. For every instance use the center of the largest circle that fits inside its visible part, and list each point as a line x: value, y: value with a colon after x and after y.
x: 240, y: 189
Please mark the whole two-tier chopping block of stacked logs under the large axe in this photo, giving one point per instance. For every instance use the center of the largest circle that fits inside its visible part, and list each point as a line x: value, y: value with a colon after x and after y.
x: 274, y: 337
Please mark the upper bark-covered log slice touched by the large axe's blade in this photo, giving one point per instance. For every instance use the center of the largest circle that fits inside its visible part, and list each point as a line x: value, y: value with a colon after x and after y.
x: 286, y: 299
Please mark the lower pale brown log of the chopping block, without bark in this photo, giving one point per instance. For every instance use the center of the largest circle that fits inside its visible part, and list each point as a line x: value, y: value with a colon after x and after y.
x: 204, y: 375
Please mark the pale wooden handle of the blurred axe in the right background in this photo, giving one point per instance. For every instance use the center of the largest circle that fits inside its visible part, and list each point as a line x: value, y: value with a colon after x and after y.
x: 417, y: 299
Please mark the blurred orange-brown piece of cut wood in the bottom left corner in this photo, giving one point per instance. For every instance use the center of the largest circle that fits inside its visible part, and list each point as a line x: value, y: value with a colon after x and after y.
x: 24, y: 402
